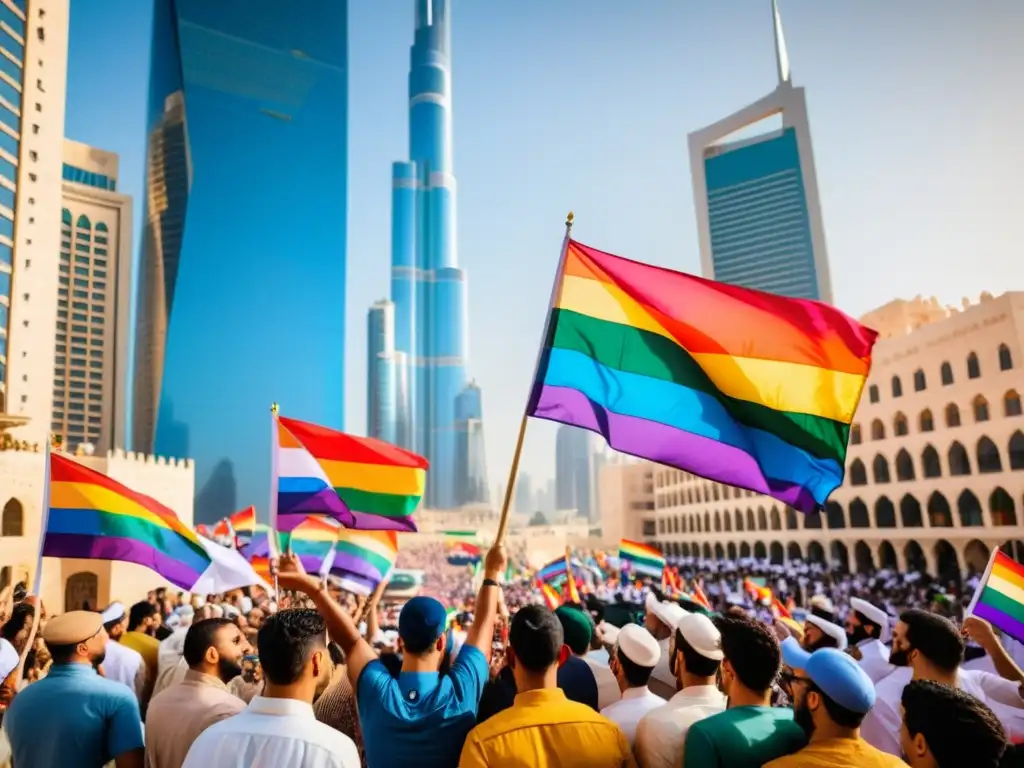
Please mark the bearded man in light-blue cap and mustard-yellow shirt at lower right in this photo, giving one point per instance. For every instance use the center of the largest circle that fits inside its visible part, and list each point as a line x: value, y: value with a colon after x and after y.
x: 832, y: 696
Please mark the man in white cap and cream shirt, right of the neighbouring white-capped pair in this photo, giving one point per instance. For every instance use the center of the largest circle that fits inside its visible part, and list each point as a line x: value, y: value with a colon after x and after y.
x: 696, y: 656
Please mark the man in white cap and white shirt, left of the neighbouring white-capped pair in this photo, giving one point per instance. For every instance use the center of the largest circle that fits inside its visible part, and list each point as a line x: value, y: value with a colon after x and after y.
x: 633, y: 660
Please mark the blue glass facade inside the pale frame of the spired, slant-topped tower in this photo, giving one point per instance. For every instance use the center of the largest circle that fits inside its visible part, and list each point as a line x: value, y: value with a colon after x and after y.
x: 758, y: 217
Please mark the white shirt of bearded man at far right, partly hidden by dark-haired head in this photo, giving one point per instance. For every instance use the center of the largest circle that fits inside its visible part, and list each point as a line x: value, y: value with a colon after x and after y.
x: 881, y: 728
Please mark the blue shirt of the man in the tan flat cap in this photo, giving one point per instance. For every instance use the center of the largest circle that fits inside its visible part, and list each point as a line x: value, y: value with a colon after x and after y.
x: 73, y: 716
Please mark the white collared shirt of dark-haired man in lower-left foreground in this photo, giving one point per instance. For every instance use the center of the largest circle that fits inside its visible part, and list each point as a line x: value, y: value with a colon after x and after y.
x: 273, y: 734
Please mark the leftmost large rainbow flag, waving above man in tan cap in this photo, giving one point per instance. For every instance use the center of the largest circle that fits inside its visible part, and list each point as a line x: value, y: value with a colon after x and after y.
x: 93, y: 518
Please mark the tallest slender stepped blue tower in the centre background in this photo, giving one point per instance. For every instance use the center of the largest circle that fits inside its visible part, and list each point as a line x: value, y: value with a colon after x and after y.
x: 428, y: 286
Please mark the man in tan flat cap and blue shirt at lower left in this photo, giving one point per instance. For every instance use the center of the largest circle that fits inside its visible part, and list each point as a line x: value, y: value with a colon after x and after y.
x: 73, y: 716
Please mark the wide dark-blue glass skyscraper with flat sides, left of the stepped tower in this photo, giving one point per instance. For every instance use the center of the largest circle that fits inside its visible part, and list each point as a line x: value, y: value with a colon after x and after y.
x: 242, y: 291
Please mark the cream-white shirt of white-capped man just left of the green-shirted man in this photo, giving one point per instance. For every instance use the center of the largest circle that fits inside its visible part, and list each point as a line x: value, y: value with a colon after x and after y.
x: 662, y: 733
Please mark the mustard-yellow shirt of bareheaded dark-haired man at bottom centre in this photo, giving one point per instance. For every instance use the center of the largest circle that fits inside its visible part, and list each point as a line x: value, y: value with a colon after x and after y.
x: 544, y: 730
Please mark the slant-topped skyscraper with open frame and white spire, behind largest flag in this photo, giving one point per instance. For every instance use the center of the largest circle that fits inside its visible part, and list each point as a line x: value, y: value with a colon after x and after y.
x: 759, y: 217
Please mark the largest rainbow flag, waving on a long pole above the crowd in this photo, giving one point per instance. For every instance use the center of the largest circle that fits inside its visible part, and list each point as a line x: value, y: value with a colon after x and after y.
x: 739, y: 387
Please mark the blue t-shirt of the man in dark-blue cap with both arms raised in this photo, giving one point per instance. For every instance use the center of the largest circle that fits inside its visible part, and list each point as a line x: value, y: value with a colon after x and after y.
x: 421, y: 719
